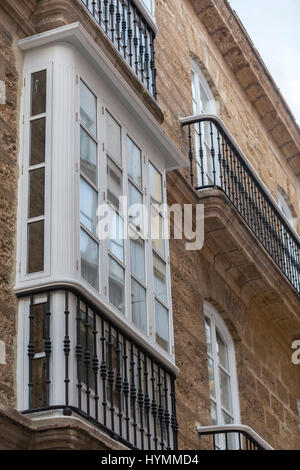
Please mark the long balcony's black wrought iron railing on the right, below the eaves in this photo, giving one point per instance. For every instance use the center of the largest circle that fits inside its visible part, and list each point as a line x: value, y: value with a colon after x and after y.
x: 217, y: 161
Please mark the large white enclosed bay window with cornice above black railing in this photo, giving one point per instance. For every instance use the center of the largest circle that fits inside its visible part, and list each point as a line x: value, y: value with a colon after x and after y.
x: 92, y: 143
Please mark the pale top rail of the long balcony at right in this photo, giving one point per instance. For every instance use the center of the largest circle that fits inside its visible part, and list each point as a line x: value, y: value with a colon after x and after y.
x: 219, y: 121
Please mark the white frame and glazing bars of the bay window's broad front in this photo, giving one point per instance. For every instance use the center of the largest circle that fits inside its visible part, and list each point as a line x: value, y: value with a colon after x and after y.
x: 104, y: 253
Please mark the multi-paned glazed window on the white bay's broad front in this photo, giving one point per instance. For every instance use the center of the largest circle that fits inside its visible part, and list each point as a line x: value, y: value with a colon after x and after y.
x: 133, y: 290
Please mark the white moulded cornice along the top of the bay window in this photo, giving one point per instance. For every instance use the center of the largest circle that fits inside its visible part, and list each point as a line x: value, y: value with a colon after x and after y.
x: 84, y: 43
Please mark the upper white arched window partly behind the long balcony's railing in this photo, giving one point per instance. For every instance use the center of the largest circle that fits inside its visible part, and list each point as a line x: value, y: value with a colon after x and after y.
x: 203, y: 103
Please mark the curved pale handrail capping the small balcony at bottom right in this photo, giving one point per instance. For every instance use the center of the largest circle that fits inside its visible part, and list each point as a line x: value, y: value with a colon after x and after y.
x: 252, y: 440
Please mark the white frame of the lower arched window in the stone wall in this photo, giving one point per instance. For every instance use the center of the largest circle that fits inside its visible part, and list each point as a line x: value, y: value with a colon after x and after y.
x: 217, y: 323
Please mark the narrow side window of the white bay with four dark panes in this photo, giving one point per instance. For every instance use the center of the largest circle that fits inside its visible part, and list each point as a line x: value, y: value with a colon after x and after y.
x: 36, y: 170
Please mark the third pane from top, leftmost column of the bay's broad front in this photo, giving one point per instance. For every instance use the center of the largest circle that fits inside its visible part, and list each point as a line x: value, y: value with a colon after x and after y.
x: 88, y: 206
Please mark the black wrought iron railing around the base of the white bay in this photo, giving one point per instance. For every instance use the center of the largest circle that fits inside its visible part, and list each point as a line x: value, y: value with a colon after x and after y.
x: 80, y: 362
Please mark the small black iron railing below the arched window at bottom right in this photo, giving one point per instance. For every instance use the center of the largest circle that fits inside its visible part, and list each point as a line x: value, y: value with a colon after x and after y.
x: 233, y: 437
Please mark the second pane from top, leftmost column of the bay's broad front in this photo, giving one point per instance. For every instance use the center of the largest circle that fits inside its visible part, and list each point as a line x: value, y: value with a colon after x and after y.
x: 88, y: 156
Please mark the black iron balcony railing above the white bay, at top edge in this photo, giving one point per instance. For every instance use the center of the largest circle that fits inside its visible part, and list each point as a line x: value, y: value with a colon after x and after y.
x: 131, y: 33
